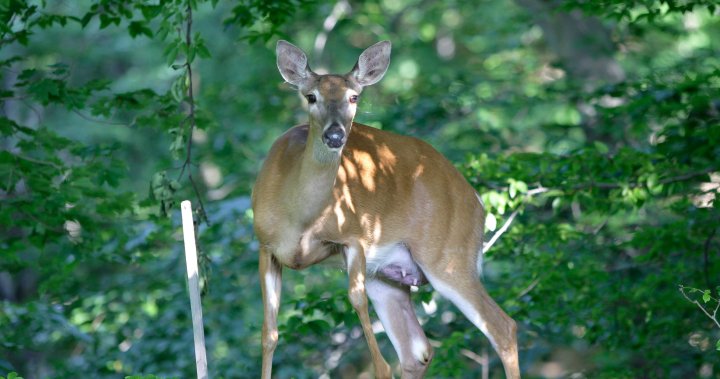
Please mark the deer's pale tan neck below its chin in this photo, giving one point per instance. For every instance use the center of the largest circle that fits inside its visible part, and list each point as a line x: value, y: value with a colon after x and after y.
x: 317, y: 175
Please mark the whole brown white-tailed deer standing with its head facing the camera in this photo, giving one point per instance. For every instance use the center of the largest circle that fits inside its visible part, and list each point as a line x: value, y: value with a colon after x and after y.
x: 395, y: 208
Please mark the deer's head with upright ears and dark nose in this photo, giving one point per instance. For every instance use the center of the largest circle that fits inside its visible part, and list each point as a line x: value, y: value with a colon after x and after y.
x: 332, y: 99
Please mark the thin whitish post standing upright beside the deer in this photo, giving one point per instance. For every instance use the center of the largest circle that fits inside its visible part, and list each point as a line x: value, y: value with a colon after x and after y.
x: 194, y: 288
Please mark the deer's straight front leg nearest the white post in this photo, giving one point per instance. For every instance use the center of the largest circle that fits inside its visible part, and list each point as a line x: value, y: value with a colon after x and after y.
x: 270, y: 282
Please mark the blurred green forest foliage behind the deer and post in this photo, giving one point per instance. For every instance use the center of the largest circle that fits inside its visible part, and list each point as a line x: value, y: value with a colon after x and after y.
x: 590, y: 128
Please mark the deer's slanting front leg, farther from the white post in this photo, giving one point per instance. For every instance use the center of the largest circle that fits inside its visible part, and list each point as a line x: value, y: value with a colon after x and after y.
x: 355, y: 257
